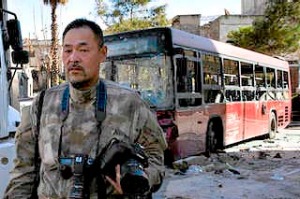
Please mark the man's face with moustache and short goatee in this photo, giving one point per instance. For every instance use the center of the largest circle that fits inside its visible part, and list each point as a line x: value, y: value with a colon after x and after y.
x: 82, y: 57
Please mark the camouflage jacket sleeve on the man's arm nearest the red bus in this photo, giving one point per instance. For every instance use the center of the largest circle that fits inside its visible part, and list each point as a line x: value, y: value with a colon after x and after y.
x: 152, y: 138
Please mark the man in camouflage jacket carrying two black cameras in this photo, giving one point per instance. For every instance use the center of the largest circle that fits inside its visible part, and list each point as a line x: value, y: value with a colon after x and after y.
x: 78, y: 121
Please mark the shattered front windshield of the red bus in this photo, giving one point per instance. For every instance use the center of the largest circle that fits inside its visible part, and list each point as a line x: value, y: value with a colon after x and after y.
x: 149, y: 76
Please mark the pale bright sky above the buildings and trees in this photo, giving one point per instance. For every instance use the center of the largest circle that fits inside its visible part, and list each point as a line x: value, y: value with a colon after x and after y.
x: 35, y: 17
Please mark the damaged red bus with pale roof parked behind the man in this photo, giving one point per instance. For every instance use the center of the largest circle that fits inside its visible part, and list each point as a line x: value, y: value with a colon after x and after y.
x: 206, y: 94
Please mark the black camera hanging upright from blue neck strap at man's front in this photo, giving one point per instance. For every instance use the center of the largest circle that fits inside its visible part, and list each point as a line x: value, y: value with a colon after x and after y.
x: 77, y: 166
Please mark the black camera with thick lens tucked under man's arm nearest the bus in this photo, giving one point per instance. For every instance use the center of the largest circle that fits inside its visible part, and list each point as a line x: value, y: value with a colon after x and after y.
x: 132, y: 159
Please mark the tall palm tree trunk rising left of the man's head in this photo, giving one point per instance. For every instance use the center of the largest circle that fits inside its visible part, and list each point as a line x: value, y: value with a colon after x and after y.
x: 53, y: 70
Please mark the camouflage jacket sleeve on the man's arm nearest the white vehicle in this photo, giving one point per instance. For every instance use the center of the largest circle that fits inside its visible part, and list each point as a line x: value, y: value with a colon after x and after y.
x: 24, y: 174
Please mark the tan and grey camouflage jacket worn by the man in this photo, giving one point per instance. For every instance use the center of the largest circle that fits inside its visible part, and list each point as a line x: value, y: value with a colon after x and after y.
x: 127, y: 118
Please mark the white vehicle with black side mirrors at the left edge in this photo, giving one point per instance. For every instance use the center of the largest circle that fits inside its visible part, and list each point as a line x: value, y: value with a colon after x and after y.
x: 10, y: 40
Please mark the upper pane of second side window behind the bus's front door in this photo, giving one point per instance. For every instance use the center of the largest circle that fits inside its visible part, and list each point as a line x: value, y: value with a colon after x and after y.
x: 231, y: 72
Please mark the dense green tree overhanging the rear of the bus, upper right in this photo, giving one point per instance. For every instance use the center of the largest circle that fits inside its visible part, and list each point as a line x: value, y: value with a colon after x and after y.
x: 277, y: 33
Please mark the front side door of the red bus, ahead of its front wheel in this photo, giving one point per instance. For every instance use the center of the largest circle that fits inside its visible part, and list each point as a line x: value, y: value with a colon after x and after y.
x: 188, y: 99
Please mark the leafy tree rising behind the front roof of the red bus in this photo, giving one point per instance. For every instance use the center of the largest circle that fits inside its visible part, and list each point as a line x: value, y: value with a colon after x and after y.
x: 122, y: 16
